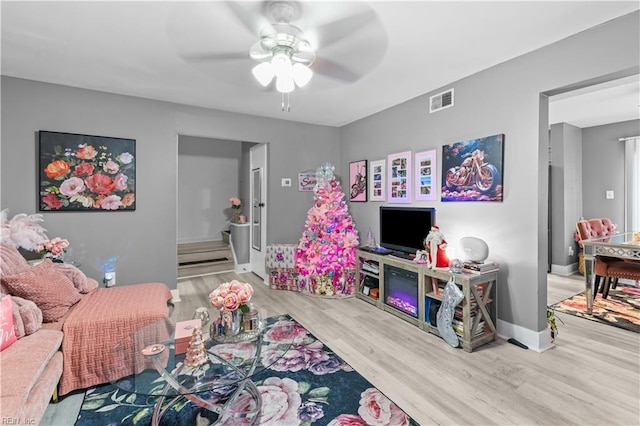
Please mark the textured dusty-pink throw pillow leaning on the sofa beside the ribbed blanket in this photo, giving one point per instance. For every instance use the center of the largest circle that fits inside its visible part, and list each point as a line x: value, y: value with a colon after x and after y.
x: 47, y: 286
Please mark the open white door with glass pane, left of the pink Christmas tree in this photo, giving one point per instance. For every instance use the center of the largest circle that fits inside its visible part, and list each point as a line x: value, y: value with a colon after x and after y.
x: 258, y: 215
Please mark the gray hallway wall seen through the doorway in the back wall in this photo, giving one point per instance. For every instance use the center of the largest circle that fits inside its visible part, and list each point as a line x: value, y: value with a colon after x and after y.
x: 209, y: 173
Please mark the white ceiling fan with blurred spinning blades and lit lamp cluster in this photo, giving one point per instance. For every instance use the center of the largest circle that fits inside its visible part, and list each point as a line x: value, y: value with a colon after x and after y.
x: 336, y: 43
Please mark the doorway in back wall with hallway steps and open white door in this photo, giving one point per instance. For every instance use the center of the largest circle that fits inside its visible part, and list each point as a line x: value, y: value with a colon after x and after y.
x: 210, y: 171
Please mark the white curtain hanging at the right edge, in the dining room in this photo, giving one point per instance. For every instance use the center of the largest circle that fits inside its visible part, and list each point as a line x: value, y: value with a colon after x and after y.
x: 632, y: 183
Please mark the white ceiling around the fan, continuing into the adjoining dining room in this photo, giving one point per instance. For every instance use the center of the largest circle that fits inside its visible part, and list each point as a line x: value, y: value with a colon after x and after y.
x: 385, y: 52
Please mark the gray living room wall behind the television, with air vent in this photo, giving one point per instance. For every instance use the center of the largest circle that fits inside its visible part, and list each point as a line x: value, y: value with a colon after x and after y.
x: 503, y: 99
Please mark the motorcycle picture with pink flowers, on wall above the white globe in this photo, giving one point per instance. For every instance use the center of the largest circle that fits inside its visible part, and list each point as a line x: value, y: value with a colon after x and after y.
x: 472, y: 170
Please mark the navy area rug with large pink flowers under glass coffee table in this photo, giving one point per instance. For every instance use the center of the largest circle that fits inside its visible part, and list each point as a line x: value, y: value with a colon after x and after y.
x: 309, y: 385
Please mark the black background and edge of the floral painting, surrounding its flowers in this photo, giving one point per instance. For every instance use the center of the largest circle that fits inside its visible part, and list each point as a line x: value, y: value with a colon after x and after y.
x: 58, y: 145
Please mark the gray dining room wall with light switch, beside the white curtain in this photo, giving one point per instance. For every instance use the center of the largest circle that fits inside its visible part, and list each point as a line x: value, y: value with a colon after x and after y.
x: 603, y: 169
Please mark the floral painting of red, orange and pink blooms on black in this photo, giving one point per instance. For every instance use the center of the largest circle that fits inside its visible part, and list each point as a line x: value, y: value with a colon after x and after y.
x: 86, y: 173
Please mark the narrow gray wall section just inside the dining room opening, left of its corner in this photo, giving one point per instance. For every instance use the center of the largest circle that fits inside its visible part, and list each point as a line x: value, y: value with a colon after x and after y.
x: 565, y: 193
